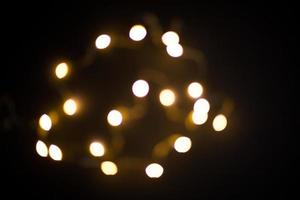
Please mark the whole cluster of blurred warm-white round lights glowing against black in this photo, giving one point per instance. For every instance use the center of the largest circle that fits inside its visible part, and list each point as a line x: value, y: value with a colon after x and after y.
x: 140, y: 89
